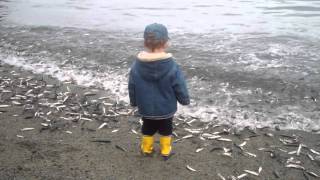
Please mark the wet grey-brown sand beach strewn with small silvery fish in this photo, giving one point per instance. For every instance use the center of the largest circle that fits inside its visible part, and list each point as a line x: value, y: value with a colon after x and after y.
x: 64, y: 149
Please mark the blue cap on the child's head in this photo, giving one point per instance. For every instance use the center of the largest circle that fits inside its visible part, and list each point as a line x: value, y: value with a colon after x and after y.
x: 159, y: 31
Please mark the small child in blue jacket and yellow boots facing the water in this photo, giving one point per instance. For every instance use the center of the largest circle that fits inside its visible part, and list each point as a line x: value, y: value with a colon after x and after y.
x: 156, y: 83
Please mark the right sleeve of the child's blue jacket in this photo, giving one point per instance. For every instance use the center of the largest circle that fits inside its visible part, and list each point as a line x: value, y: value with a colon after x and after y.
x: 180, y: 88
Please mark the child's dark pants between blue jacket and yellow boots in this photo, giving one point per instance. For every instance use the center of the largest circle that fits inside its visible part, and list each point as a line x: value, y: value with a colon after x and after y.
x: 163, y: 126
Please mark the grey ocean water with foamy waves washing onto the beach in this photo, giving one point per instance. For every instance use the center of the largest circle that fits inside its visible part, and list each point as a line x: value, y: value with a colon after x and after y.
x: 247, y: 63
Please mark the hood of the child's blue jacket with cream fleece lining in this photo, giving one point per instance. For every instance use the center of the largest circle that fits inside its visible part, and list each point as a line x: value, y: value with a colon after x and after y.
x: 154, y: 66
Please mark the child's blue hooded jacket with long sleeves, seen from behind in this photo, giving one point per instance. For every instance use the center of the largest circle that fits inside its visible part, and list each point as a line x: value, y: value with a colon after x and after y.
x: 155, y: 87
